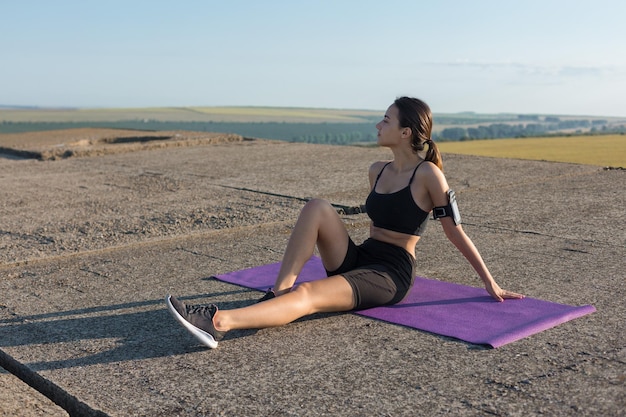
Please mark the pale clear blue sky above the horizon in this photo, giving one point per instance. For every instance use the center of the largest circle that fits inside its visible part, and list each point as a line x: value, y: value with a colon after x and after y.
x: 532, y: 56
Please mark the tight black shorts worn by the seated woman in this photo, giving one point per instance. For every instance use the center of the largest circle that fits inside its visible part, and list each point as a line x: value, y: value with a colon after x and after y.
x: 380, y: 273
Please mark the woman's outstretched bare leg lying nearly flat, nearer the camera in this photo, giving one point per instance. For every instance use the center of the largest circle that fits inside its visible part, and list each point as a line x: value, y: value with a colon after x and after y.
x: 332, y: 294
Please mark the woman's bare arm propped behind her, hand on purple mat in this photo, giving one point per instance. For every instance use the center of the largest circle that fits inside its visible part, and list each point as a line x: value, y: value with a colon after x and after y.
x: 437, y: 187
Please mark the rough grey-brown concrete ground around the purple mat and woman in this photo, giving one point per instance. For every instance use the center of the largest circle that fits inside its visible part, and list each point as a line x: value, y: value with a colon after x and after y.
x: 90, y: 246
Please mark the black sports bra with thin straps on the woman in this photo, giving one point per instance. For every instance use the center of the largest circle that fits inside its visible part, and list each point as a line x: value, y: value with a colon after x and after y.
x: 396, y: 211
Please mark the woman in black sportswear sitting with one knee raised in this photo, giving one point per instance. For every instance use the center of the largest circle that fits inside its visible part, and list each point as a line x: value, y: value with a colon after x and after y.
x: 381, y: 270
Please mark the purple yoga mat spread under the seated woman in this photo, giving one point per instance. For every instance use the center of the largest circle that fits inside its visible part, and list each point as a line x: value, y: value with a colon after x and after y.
x: 444, y: 308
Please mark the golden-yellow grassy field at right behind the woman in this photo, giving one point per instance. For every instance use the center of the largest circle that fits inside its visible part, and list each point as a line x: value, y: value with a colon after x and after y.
x: 609, y: 150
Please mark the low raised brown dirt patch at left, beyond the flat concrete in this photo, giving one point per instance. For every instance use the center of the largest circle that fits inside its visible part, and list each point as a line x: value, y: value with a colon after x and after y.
x: 59, y: 144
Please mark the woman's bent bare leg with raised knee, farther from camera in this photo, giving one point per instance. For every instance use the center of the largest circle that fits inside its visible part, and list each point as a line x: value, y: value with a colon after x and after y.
x: 319, y: 224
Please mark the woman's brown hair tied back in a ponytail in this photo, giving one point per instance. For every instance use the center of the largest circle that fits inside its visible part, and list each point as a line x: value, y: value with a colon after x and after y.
x: 416, y: 115
